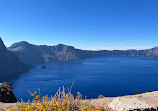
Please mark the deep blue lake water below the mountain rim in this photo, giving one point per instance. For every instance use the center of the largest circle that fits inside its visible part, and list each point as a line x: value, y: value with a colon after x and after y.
x: 109, y: 76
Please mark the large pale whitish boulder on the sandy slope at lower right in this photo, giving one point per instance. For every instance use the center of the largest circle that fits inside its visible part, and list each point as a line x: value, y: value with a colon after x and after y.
x: 126, y: 104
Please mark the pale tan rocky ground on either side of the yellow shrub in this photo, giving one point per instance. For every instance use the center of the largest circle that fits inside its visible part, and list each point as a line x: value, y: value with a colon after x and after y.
x: 144, y: 102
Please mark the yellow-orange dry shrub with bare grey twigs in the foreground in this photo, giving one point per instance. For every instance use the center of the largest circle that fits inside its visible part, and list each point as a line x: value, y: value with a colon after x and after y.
x: 61, y: 101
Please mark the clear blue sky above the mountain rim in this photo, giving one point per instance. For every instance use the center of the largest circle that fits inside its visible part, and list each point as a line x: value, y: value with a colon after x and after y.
x: 84, y: 24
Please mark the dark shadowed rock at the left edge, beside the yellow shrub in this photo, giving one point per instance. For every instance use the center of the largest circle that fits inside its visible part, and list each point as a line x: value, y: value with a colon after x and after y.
x: 6, y: 93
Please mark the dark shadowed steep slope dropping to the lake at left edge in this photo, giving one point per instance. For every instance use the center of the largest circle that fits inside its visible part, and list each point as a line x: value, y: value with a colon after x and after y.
x: 10, y: 65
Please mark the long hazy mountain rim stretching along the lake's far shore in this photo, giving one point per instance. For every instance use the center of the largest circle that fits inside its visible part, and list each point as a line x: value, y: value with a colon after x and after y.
x: 30, y: 53
